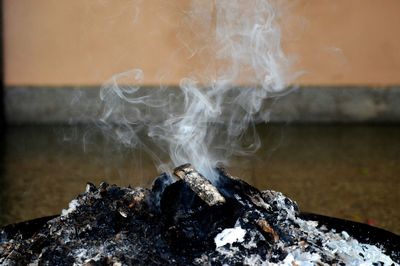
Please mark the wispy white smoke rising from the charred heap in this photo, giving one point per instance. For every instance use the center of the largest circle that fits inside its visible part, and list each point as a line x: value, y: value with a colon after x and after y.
x: 208, y: 119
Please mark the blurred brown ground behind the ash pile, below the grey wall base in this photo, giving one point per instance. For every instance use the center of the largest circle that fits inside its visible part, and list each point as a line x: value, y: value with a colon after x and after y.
x: 346, y: 171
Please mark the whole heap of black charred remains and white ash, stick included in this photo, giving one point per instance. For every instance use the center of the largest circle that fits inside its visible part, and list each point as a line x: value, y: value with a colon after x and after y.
x: 185, y: 220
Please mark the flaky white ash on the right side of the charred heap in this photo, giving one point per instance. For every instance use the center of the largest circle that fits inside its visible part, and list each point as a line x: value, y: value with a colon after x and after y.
x: 335, y: 245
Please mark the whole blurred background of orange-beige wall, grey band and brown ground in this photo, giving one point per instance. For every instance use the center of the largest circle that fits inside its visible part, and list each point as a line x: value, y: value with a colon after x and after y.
x: 333, y: 144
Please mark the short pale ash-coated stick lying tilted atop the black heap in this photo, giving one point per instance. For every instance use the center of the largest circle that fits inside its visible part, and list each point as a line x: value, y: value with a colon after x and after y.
x: 200, y: 185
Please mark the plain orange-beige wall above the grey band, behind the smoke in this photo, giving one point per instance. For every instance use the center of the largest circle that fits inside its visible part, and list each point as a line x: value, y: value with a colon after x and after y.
x: 72, y: 42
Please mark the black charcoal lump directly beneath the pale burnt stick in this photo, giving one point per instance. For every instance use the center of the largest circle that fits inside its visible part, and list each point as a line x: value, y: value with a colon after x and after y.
x: 191, y: 221
